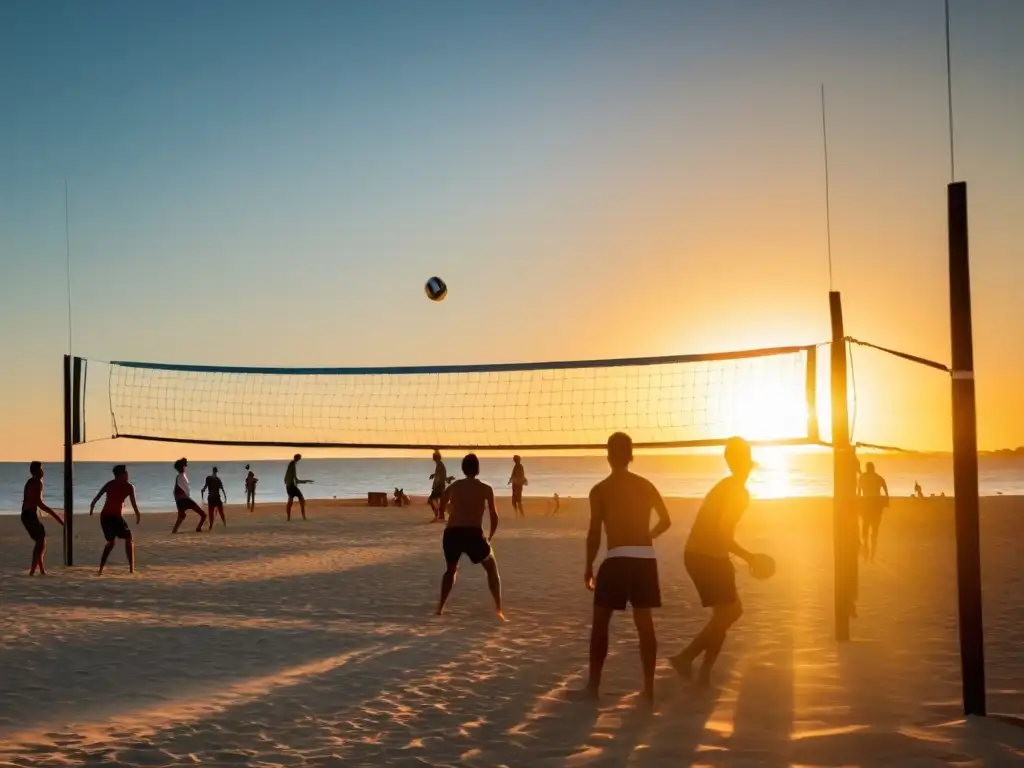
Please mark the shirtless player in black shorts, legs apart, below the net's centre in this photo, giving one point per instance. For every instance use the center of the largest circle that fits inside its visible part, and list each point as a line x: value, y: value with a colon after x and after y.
x: 464, y: 533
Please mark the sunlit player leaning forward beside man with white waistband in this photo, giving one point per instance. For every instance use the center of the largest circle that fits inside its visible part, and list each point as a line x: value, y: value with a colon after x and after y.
x: 711, y: 543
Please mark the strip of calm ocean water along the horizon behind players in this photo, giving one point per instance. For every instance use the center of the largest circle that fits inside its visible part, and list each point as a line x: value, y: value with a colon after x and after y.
x: 782, y: 474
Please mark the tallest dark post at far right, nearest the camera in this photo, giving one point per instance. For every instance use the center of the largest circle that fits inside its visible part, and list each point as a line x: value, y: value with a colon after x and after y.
x: 966, y: 456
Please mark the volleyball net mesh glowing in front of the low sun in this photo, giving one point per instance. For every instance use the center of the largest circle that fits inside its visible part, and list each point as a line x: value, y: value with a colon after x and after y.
x: 689, y: 401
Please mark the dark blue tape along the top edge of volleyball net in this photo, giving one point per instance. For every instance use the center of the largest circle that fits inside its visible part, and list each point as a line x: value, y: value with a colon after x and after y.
x: 472, y: 369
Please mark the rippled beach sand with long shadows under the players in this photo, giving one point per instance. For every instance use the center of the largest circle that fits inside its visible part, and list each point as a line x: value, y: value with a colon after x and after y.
x: 314, y: 644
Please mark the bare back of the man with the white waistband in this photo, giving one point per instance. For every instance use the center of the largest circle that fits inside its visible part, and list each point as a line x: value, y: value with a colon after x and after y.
x: 625, y: 501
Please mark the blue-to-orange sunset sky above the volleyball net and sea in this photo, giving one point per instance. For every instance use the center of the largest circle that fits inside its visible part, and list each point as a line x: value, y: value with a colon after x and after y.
x: 271, y: 185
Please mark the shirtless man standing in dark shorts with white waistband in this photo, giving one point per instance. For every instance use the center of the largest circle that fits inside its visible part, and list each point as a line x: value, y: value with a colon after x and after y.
x: 621, y: 505
